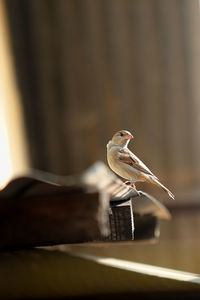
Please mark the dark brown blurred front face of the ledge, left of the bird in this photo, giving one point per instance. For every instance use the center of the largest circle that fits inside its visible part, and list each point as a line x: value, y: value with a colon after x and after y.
x: 70, y: 217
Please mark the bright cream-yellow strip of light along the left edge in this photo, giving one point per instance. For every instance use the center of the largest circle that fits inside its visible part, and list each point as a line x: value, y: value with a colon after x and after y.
x: 13, y: 152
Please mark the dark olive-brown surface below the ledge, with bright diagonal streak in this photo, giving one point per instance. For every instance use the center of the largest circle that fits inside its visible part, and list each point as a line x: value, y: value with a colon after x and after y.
x: 62, y: 274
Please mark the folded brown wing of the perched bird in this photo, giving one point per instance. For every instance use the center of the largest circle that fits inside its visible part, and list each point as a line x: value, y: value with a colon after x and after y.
x: 127, y: 157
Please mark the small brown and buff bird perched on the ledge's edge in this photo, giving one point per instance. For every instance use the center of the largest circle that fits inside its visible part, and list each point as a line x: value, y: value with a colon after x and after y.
x: 127, y: 165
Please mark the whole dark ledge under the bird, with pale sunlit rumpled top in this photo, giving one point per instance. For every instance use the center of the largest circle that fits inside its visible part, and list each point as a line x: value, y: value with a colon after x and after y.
x: 44, y: 209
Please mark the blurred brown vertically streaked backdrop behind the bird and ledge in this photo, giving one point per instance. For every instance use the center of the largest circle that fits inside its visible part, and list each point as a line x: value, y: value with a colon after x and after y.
x: 85, y: 69
